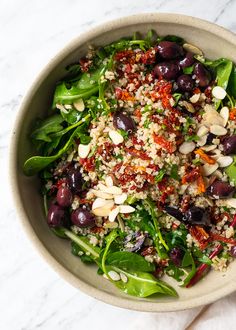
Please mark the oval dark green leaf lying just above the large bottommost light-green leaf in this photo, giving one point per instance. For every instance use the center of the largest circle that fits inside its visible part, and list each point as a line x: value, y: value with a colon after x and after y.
x: 129, y: 261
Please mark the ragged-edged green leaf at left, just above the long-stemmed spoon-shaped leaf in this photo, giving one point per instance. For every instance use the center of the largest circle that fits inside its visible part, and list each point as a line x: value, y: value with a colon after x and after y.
x: 46, y: 127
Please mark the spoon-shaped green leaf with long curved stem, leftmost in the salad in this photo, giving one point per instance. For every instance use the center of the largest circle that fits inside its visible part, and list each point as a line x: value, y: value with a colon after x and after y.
x: 36, y: 163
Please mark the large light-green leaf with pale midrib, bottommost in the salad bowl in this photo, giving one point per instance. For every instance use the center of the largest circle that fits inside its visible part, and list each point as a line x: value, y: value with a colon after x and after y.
x: 141, y: 284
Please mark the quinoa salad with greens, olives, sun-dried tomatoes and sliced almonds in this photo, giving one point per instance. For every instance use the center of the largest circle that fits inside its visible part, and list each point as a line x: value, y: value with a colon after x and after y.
x: 137, y: 162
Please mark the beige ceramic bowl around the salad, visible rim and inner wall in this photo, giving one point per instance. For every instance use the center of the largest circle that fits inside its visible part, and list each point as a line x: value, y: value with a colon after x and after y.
x: 216, y: 42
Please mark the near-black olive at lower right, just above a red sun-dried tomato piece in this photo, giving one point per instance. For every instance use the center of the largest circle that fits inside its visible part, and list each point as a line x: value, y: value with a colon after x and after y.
x: 197, y: 216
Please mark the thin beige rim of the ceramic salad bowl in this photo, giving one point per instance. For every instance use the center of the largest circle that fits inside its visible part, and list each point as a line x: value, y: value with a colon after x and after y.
x: 145, y: 306
